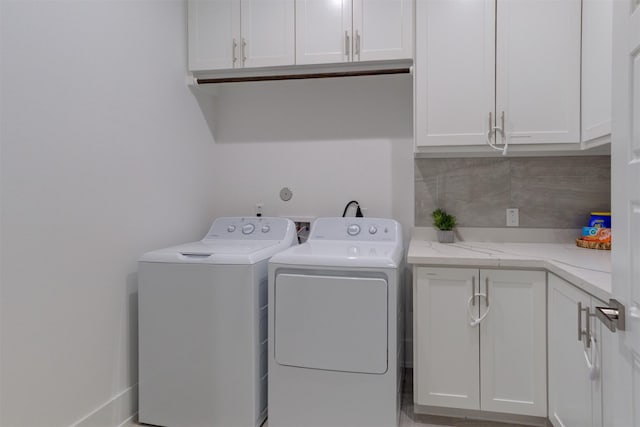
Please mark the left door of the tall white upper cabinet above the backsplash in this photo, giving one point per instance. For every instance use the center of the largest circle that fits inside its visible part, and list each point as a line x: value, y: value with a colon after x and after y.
x: 455, y: 71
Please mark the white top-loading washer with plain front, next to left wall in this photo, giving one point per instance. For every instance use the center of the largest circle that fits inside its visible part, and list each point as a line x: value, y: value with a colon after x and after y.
x: 203, y: 326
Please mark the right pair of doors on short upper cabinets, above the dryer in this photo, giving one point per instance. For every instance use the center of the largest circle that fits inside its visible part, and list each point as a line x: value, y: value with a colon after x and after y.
x: 333, y: 31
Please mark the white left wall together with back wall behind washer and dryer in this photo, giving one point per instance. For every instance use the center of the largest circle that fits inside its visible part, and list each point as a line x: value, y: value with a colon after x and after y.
x: 106, y: 154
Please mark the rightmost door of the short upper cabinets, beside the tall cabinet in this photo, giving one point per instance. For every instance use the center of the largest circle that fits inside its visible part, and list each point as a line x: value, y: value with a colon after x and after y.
x: 382, y: 29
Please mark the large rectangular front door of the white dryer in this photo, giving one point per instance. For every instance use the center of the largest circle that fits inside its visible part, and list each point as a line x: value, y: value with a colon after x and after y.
x: 331, y: 322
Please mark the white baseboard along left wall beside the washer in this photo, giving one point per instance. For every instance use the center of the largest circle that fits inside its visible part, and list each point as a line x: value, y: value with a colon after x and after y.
x: 113, y: 413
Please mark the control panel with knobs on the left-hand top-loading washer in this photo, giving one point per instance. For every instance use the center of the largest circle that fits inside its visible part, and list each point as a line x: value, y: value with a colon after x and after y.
x: 250, y: 228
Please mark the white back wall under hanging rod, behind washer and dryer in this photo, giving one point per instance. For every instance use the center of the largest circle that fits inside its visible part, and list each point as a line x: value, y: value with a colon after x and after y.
x: 328, y: 140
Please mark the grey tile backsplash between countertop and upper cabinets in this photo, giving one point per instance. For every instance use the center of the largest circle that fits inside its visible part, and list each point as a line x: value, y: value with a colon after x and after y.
x: 550, y: 192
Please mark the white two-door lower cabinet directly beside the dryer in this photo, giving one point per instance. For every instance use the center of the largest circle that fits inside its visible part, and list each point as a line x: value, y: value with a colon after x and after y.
x: 480, y: 340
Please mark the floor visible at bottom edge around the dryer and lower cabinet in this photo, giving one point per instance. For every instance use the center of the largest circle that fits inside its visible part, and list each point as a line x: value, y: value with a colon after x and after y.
x: 408, y: 418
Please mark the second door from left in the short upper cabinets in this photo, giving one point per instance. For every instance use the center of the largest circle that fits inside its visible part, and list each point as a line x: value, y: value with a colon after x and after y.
x: 268, y: 33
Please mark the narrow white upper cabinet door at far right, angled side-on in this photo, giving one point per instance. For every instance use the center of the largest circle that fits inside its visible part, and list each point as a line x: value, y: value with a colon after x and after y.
x: 597, y: 27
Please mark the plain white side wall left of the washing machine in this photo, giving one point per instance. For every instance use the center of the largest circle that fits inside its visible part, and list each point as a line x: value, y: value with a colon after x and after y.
x: 104, y: 156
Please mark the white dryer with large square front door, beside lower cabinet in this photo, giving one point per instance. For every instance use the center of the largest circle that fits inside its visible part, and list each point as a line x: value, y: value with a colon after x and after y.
x: 336, y: 326
